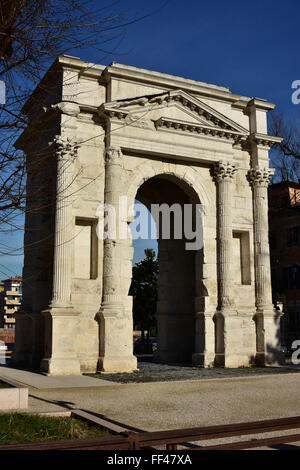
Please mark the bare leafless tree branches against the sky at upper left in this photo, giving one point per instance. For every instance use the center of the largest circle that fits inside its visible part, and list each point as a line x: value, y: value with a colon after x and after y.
x: 32, y: 34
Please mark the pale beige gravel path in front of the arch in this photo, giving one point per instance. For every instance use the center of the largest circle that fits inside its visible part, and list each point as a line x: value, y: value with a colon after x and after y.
x: 171, y: 405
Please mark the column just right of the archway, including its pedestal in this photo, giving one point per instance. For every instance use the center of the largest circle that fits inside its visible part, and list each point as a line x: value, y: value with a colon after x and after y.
x: 228, y: 348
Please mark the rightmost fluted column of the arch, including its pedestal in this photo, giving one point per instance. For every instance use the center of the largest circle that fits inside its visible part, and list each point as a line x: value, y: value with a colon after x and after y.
x: 267, y: 318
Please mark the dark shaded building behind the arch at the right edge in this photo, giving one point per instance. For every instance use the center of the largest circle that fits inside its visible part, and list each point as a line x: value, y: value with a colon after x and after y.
x: 284, y: 225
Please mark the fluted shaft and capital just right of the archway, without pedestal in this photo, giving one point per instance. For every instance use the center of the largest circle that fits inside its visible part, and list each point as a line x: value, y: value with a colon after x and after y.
x: 223, y: 176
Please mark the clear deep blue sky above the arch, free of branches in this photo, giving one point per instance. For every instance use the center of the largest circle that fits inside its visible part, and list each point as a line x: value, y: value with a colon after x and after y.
x: 252, y: 47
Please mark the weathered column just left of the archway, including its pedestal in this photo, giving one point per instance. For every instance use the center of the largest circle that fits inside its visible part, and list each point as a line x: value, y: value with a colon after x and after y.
x: 115, y: 328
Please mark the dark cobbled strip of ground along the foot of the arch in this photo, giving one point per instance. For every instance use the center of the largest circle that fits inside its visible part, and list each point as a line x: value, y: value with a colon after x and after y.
x: 154, y: 372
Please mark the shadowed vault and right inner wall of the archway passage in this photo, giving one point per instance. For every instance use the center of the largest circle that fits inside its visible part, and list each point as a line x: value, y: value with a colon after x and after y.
x: 175, y: 207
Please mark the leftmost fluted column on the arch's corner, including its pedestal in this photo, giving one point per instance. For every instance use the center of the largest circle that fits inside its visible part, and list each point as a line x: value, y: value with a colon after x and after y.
x: 60, y: 320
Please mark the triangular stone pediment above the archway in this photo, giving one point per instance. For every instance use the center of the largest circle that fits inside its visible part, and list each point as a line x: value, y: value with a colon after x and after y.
x: 175, y: 111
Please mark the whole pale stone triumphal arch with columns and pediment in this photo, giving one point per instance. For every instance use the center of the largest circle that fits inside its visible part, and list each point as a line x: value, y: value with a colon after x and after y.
x: 97, y: 134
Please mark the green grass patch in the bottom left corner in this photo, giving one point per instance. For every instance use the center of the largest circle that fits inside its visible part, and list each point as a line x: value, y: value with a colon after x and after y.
x: 18, y: 428
